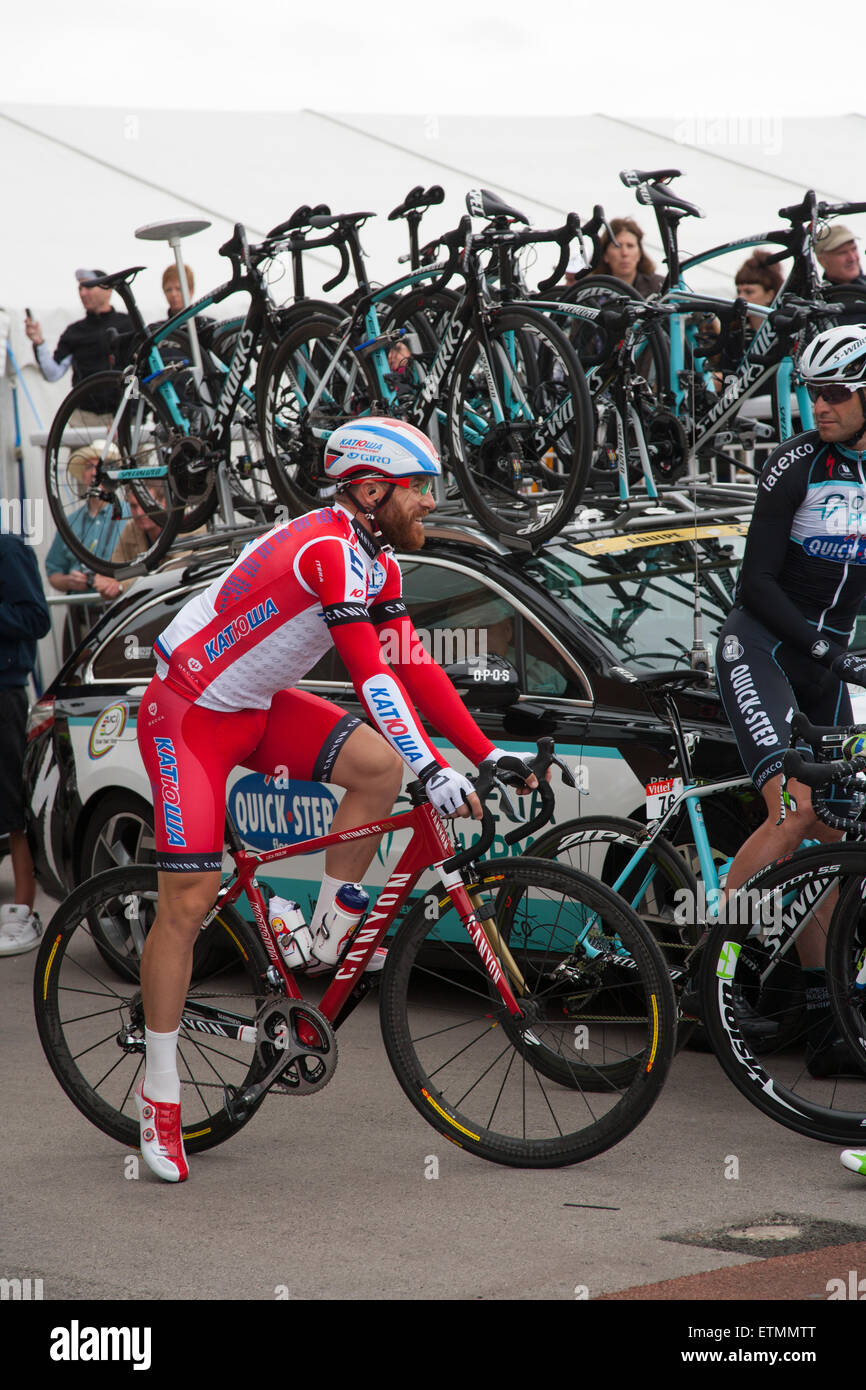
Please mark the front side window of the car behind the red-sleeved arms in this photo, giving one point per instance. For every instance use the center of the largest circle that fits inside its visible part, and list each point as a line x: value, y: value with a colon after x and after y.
x: 458, y: 618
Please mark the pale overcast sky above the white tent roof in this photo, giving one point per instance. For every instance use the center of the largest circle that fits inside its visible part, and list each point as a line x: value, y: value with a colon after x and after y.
x: 676, y: 58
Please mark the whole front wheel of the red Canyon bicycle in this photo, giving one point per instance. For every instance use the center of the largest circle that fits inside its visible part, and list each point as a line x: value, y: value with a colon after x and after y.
x: 587, y: 1058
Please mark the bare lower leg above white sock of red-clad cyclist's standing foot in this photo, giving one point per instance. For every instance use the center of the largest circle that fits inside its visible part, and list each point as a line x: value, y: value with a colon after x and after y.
x: 184, y: 900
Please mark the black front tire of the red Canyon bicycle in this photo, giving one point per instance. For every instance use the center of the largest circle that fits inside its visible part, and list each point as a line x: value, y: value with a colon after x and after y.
x: 447, y: 1118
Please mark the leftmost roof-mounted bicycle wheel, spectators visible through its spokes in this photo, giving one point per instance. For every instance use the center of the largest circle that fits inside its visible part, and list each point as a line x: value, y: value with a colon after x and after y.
x: 122, y: 511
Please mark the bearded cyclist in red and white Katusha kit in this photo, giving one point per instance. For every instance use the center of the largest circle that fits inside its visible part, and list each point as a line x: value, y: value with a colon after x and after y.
x: 224, y: 697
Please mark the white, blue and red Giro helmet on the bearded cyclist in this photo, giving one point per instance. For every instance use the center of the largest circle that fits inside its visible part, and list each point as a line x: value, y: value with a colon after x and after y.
x: 376, y: 448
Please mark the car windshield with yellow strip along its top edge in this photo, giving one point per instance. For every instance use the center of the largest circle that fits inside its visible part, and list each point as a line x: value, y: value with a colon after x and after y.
x: 637, y: 593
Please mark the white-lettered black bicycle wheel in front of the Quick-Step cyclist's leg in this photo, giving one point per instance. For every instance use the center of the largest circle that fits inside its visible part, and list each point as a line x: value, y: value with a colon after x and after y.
x: 751, y: 970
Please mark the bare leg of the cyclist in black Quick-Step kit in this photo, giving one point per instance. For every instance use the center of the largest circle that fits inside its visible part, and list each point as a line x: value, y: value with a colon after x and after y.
x: 771, y: 842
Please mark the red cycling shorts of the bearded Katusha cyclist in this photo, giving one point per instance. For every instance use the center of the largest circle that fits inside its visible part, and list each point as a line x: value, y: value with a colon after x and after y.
x: 190, y: 753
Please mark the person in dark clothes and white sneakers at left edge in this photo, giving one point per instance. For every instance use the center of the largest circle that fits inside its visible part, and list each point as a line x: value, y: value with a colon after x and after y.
x: 24, y: 618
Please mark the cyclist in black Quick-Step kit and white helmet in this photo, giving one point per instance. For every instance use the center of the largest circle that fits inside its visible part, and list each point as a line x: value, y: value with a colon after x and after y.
x: 785, y: 646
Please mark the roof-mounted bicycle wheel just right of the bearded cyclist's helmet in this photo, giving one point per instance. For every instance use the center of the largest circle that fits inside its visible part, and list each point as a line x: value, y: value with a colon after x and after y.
x: 521, y: 427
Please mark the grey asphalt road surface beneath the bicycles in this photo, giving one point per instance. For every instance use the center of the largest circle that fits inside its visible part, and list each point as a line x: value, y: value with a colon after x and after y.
x: 334, y: 1197
